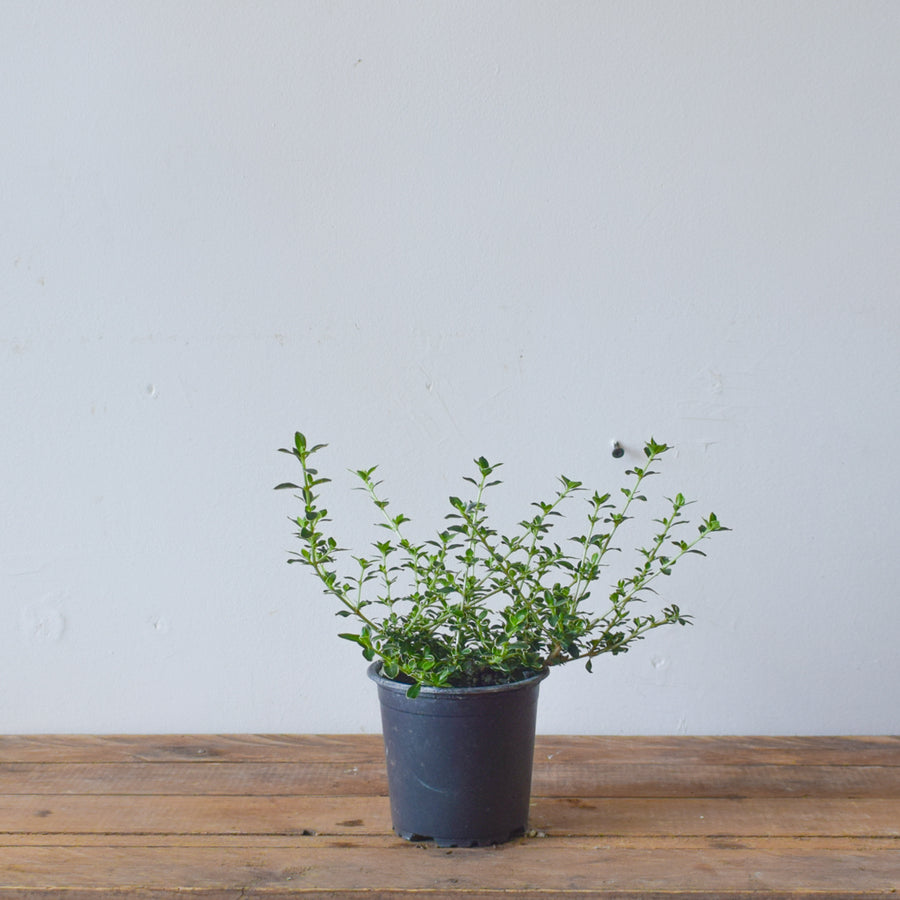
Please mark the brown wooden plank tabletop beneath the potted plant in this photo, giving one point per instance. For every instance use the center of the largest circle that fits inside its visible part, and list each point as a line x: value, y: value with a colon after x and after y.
x: 255, y: 816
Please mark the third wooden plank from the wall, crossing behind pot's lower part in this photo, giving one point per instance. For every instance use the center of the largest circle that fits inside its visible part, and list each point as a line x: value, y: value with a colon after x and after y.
x: 49, y: 814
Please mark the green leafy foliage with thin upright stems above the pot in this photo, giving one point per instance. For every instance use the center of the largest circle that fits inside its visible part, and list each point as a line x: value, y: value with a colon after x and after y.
x: 474, y: 607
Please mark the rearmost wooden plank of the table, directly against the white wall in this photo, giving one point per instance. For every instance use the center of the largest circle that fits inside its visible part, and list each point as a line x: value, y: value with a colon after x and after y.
x: 881, y: 750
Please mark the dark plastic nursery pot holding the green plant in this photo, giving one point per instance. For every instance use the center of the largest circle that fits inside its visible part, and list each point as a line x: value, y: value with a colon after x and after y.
x: 459, y: 760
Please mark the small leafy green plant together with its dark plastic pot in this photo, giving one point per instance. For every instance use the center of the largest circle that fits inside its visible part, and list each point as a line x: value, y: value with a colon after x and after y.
x: 461, y: 628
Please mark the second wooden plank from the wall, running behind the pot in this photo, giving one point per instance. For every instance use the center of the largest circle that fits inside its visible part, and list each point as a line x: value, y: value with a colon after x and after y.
x: 369, y: 778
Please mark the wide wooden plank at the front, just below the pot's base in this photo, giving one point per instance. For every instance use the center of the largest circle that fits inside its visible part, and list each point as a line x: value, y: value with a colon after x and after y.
x: 518, y: 869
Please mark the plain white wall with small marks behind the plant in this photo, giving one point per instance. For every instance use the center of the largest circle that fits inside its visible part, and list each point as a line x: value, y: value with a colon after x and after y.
x: 422, y: 232
